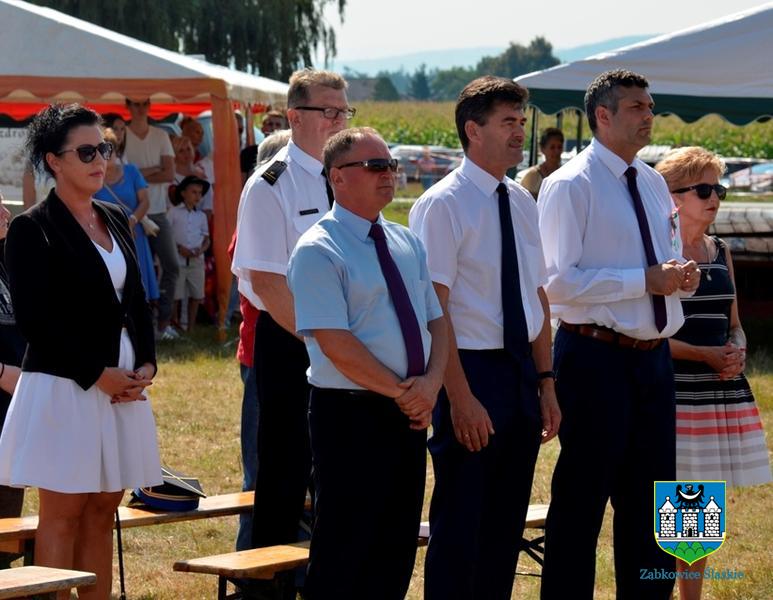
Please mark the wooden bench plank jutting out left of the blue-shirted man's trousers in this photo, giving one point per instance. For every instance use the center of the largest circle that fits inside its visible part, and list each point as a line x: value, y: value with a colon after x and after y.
x: 258, y: 563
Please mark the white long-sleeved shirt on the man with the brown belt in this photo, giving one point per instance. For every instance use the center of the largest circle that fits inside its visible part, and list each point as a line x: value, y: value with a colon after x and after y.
x: 593, y: 249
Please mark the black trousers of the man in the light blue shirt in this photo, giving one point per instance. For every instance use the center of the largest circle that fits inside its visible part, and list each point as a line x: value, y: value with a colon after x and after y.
x: 369, y: 472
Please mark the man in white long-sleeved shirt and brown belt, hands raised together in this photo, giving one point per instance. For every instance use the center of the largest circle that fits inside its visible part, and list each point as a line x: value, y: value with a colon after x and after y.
x: 615, y: 275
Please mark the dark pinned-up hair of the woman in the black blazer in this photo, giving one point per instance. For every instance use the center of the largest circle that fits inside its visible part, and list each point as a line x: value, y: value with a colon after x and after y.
x: 50, y: 128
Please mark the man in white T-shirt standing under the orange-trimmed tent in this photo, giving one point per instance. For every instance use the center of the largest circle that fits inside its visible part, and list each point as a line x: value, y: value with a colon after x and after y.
x: 149, y: 149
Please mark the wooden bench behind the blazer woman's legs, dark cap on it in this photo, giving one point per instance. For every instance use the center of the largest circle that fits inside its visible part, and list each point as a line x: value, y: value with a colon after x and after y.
x: 17, y: 535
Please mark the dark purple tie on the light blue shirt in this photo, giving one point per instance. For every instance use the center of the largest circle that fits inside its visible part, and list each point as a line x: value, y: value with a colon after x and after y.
x: 408, y: 323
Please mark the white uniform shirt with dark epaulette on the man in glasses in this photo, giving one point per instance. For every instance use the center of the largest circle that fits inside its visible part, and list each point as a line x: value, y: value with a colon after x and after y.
x: 271, y: 218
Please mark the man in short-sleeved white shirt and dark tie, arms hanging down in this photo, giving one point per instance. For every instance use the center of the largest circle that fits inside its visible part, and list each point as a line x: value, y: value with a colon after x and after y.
x: 485, y: 260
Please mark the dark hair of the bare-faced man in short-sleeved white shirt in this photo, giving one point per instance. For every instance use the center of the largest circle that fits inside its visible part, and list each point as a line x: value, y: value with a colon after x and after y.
x: 480, y: 97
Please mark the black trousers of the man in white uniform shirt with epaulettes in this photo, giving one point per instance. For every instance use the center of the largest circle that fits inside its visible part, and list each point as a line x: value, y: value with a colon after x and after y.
x: 284, y: 456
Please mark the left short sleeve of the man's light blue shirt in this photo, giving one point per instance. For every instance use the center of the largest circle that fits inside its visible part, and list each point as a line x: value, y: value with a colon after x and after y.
x: 317, y: 289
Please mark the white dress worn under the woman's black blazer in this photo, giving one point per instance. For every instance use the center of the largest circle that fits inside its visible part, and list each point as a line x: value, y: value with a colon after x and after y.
x: 61, y: 438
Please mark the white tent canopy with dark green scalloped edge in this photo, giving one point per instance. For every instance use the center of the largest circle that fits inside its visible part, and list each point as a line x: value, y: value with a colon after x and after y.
x: 721, y: 67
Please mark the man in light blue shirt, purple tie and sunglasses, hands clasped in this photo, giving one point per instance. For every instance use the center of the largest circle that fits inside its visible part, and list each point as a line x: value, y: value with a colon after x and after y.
x: 377, y: 343
